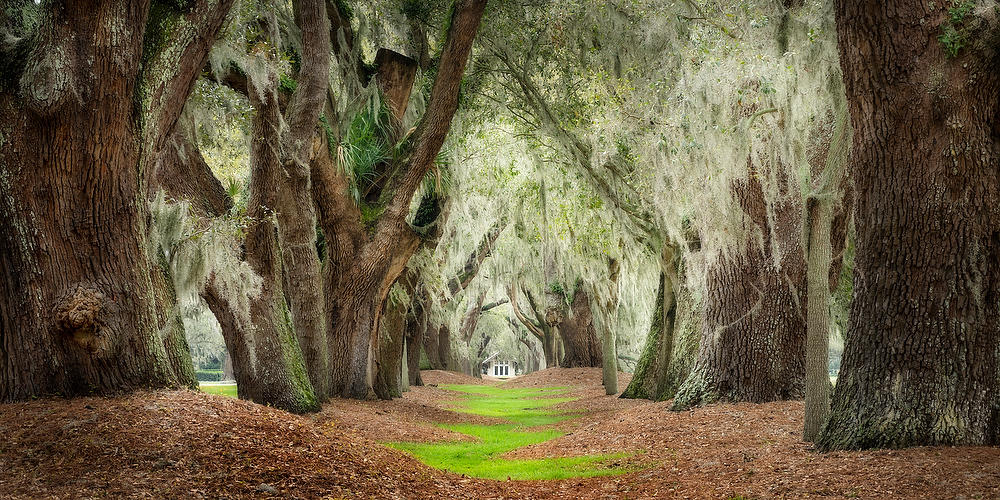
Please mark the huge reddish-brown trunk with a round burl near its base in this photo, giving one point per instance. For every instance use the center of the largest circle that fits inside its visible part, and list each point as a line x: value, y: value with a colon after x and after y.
x: 82, y: 116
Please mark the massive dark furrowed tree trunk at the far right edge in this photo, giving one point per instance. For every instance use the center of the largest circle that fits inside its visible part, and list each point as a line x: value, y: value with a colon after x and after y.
x: 920, y: 361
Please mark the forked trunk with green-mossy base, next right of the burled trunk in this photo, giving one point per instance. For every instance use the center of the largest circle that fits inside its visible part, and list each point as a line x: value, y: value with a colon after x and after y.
x: 288, y: 367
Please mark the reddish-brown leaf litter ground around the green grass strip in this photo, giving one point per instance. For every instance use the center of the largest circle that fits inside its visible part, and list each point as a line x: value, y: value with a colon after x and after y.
x: 183, y: 444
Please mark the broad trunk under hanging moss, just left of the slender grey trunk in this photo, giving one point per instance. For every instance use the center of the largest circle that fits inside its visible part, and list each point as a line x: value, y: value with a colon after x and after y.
x: 753, y: 339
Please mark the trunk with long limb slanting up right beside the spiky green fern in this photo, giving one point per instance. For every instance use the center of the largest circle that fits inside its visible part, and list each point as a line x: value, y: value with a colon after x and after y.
x: 368, y: 267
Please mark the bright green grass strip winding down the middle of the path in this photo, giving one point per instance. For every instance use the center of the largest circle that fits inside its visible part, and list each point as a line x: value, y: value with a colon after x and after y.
x: 524, y: 408
